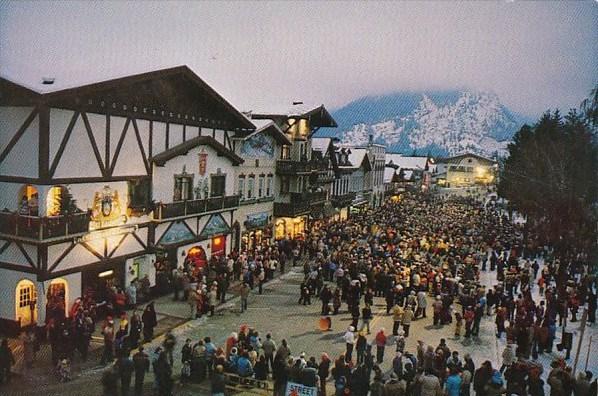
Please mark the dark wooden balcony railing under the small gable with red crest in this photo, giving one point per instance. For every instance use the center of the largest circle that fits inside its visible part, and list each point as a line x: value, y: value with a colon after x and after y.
x: 195, y: 206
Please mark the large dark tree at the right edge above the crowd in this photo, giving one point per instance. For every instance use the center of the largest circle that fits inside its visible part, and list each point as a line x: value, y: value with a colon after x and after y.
x: 551, y: 176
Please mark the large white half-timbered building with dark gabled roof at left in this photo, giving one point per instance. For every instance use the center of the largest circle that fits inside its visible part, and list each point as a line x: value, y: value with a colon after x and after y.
x: 98, y: 181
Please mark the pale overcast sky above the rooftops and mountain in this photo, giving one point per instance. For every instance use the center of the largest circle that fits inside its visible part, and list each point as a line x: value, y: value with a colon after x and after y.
x: 533, y: 55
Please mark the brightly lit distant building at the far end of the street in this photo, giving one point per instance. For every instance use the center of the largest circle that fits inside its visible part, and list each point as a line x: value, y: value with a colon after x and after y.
x: 465, y: 170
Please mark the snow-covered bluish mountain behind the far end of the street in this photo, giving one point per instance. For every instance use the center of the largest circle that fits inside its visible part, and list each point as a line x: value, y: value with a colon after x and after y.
x: 439, y: 123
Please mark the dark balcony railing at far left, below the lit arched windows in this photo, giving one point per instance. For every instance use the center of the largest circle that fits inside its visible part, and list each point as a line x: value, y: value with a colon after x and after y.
x: 34, y: 227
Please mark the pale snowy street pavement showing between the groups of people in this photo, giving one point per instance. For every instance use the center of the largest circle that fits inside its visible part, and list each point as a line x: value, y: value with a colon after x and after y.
x: 277, y: 311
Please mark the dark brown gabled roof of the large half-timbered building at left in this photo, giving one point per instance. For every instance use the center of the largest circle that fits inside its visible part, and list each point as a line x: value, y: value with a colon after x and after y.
x: 176, y: 90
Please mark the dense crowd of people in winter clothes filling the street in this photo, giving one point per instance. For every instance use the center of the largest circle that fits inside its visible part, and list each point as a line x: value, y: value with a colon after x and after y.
x: 421, y: 256
